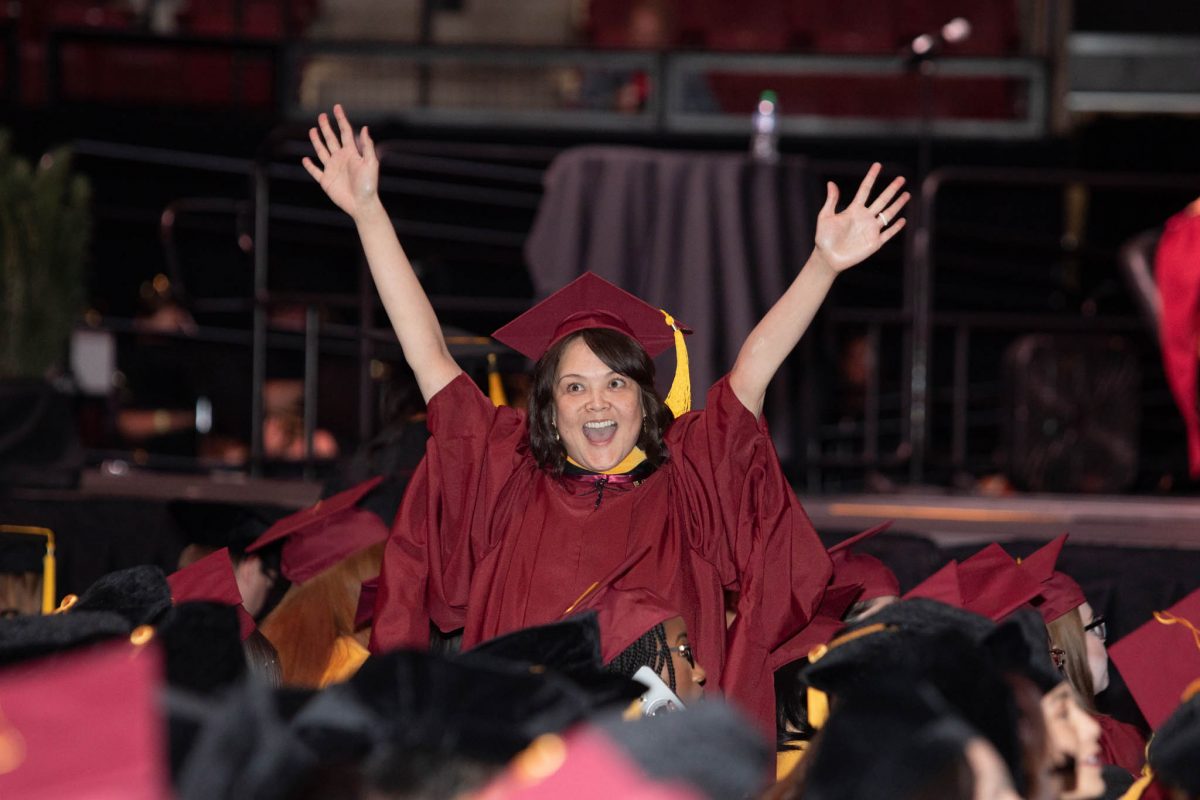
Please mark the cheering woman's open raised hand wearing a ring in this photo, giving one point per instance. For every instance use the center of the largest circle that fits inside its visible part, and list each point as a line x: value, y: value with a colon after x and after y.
x: 853, y: 236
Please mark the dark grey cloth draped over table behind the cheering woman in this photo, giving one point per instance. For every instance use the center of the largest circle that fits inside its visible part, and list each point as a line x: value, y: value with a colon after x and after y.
x: 712, y: 238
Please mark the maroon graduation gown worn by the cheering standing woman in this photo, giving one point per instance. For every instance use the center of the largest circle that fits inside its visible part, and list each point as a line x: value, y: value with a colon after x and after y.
x: 488, y: 542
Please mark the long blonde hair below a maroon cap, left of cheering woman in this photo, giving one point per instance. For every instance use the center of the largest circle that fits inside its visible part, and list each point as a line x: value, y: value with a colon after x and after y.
x: 313, y: 616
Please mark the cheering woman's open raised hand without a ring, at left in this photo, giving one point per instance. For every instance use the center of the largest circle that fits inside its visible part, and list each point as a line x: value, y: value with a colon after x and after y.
x: 350, y: 170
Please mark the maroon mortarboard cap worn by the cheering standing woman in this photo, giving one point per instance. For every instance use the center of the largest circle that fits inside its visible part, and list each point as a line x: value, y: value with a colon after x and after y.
x: 589, y: 302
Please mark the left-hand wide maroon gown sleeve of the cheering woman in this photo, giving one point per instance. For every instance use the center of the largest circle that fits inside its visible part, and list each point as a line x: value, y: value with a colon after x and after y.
x: 441, y: 530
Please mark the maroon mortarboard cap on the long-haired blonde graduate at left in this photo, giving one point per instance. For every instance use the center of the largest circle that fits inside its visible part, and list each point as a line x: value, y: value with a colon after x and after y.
x: 322, y: 536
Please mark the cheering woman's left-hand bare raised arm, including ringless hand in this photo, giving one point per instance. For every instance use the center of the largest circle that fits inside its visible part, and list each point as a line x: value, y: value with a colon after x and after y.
x: 350, y: 176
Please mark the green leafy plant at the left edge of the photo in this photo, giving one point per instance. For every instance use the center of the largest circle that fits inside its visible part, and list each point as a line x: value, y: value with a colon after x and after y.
x: 45, y: 232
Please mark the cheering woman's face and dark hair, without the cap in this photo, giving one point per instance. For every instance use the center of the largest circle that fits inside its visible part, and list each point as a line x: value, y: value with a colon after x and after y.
x: 595, y: 401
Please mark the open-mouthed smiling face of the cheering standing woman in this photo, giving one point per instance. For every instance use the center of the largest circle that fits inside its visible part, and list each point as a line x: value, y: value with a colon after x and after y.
x: 598, y: 412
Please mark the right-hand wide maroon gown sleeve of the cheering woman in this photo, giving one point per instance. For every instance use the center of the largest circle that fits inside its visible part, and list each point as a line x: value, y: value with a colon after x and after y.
x: 747, y: 521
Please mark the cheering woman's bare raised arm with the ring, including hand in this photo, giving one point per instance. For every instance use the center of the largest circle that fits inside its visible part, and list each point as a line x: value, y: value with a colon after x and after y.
x: 843, y: 240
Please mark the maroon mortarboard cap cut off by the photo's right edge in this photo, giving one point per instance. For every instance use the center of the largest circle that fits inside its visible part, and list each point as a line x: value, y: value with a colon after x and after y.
x: 1161, y: 660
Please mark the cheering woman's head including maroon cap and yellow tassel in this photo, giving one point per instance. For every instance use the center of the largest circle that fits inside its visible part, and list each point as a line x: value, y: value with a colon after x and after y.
x: 593, y: 396
